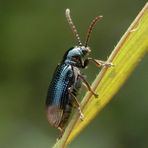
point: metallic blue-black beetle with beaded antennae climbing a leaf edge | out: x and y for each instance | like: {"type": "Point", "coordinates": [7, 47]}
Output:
{"type": "Point", "coordinates": [67, 79]}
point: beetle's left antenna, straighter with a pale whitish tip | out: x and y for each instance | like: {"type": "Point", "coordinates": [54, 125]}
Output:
{"type": "Point", "coordinates": [74, 30]}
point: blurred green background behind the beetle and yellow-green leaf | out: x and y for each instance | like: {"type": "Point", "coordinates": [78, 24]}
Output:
{"type": "Point", "coordinates": [34, 36]}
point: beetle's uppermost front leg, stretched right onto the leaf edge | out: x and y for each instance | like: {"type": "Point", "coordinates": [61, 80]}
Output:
{"type": "Point", "coordinates": [101, 63]}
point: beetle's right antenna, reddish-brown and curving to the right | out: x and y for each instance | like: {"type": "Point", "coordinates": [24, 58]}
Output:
{"type": "Point", "coordinates": [93, 23]}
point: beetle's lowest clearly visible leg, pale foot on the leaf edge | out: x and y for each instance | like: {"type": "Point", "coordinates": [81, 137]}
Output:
{"type": "Point", "coordinates": [74, 99]}
